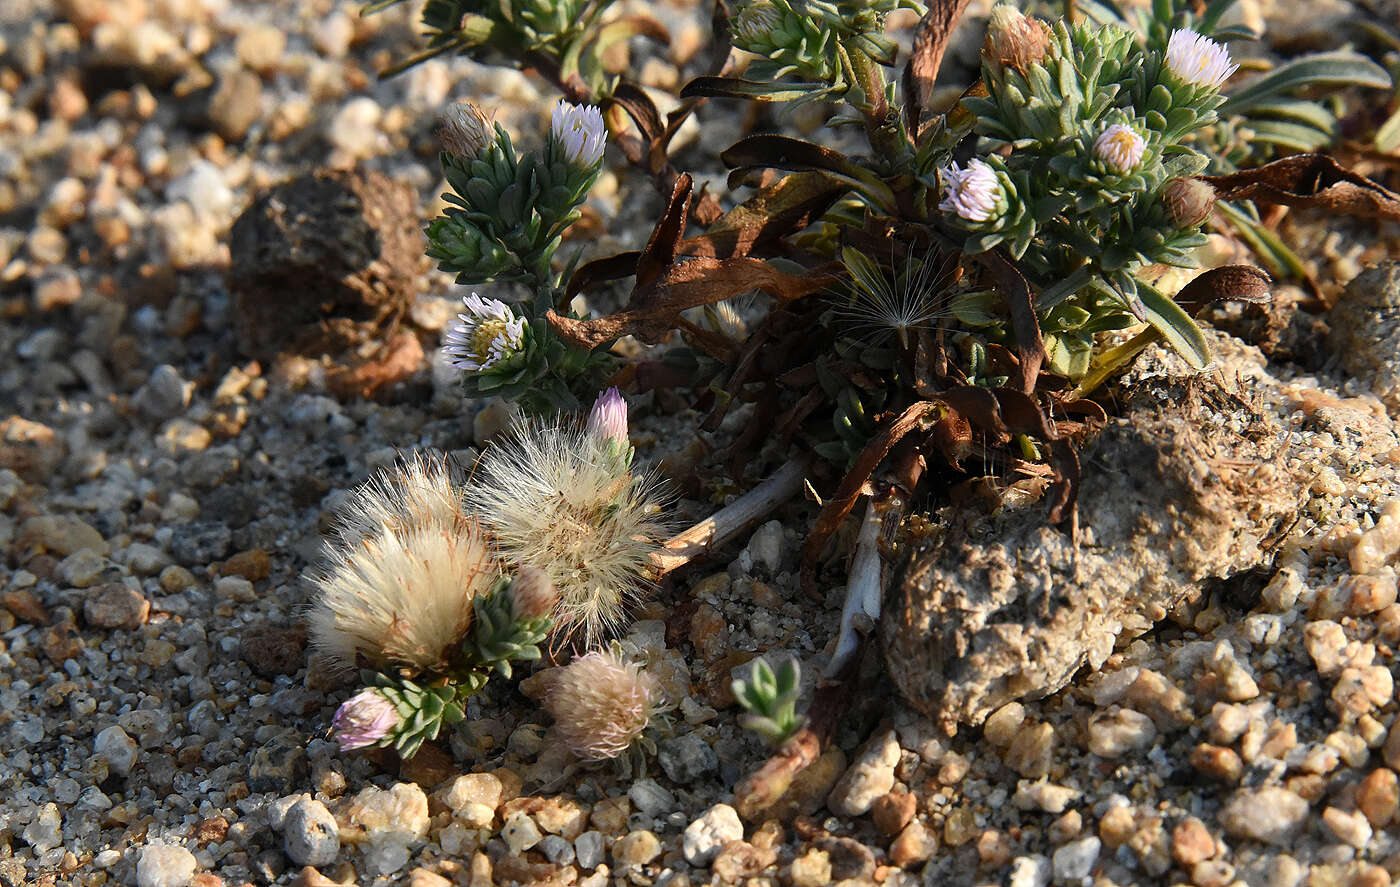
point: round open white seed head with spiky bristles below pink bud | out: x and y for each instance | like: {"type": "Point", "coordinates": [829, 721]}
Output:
{"type": "Point", "coordinates": [556, 499]}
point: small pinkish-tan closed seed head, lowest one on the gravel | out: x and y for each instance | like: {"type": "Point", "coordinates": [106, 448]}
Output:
{"type": "Point", "coordinates": [601, 704]}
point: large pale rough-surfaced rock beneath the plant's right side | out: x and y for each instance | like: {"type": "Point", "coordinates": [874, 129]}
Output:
{"type": "Point", "coordinates": [1179, 489]}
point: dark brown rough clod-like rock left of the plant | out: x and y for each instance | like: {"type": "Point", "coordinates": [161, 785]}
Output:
{"type": "Point", "coordinates": [324, 262]}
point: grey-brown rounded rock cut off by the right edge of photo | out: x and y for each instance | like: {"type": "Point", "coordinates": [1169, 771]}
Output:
{"type": "Point", "coordinates": [1366, 331]}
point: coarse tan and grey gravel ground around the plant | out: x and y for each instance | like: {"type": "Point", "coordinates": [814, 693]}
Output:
{"type": "Point", "coordinates": [162, 495]}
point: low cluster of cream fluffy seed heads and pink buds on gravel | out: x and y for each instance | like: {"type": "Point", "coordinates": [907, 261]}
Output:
{"type": "Point", "coordinates": [436, 587]}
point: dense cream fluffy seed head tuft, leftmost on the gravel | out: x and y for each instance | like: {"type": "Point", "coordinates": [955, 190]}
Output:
{"type": "Point", "coordinates": [401, 573]}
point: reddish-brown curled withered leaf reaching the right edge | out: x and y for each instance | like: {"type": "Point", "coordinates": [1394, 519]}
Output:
{"type": "Point", "coordinates": [1310, 181]}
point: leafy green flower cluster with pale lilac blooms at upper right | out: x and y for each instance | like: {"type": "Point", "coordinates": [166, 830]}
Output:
{"type": "Point", "coordinates": [1090, 134]}
